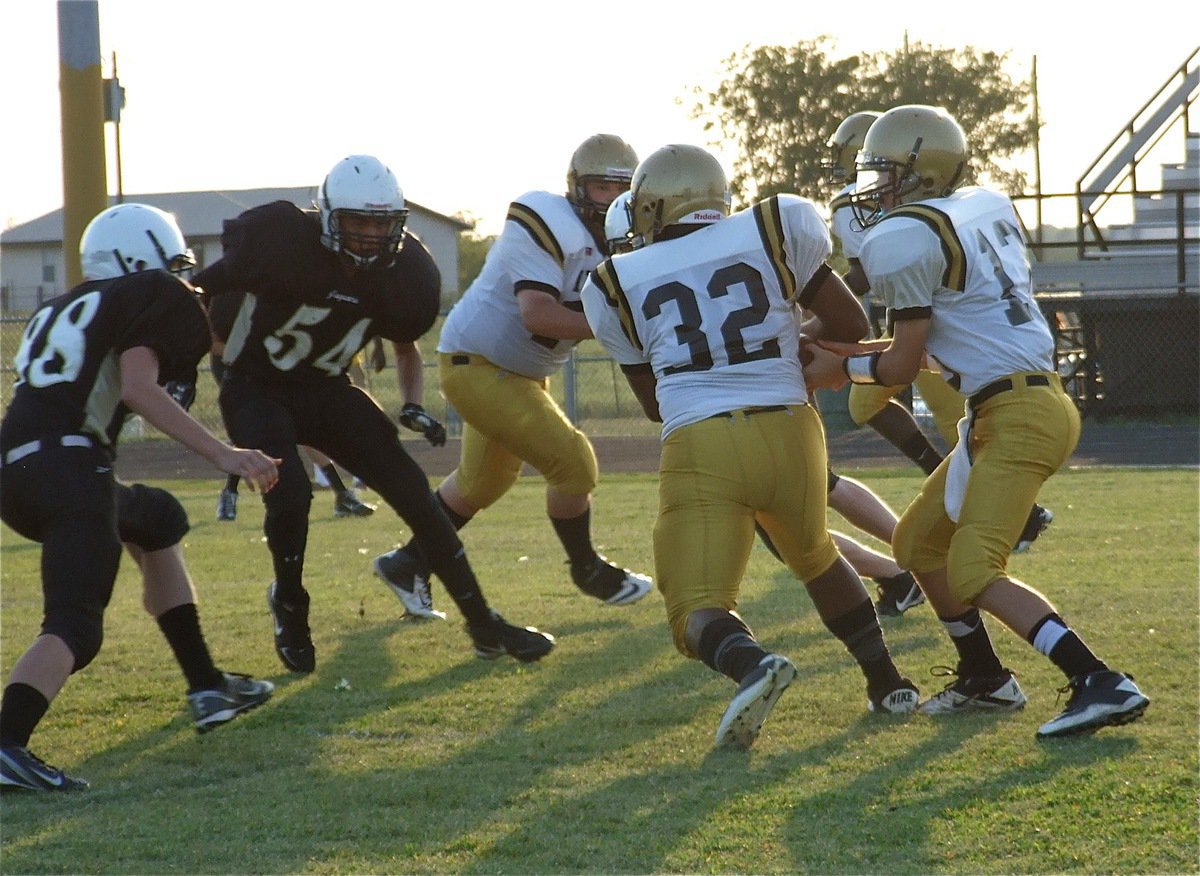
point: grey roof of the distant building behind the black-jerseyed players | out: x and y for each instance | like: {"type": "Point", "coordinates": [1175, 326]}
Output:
{"type": "Point", "coordinates": [200, 214]}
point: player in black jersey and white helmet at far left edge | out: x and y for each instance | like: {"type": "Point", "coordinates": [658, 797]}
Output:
{"type": "Point", "coordinates": [87, 359]}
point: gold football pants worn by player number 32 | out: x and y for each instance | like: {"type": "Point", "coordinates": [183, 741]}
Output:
{"type": "Point", "coordinates": [717, 476]}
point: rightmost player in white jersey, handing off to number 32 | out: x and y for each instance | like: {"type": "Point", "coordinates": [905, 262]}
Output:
{"type": "Point", "coordinates": [951, 263]}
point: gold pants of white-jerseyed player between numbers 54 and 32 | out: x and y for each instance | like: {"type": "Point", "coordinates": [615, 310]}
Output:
{"type": "Point", "coordinates": [509, 419]}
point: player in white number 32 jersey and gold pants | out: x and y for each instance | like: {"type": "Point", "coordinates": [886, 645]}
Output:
{"type": "Point", "coordinates": [700, 317]}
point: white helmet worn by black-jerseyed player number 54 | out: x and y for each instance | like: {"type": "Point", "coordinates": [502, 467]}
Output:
{"type": "Point", "coordinates": [363, 185]}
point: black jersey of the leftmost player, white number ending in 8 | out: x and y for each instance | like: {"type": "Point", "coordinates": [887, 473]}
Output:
{"type": "Point", "coordinates": [69, 361]}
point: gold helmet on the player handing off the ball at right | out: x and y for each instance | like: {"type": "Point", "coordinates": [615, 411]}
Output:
{"type": "Point", "coordinates": [911, 153]}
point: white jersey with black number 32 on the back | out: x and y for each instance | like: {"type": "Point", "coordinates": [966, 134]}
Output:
{"type": "Point", "coordinates": [712, 313]}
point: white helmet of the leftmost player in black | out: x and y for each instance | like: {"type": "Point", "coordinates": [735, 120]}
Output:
{"type": "Point", "coordinates": [130, 238]}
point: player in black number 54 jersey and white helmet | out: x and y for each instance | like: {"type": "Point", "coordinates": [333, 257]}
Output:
{"type": "Point", "coordinates": [319, 286]}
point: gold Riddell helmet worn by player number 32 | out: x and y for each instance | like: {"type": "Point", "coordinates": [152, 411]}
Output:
{"type": "Point", "coordinates": [677, 185]}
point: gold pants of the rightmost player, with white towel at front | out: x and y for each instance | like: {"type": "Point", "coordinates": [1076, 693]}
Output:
{"type": "Point", "coordinates": [1018, 440]}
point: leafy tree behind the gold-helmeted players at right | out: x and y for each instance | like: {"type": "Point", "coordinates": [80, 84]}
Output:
{"type": "Point", "coordinates": [781, 104]}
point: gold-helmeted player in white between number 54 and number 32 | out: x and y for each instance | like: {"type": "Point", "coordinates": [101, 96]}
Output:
{"type": "Point", "coordinates": [513, 329]}
